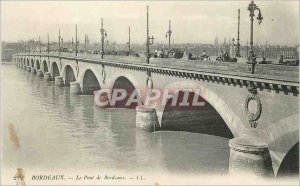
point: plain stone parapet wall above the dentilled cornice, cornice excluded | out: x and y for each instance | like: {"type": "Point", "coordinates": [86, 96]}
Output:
{"type": "Point", "coordinates": [269, 71]}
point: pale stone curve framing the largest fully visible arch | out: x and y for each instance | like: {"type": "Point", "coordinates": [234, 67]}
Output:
{"type": "Point", "coordinates": [215, 104]}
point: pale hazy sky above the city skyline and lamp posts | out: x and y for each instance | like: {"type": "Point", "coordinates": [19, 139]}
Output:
{"type": "Point", "coordinates": [191, 21]}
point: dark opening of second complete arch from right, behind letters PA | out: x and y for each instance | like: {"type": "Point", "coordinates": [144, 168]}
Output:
{"type": "Point", "coordinates": [124, 83]}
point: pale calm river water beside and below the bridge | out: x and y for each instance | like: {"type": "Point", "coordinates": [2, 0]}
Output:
{"type": "Point", "coordinates": [45, 129]}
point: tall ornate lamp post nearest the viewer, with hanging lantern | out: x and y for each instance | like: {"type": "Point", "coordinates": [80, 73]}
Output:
{"type": "Point", "coordinates": [252, 7]}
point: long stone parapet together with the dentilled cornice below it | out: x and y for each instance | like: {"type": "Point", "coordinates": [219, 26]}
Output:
{"type": "Point", "coordinates": [266, 76]}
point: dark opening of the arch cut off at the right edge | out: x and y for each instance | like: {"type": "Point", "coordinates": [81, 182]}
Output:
{"type": "Point", "coordinates": [290, 164]}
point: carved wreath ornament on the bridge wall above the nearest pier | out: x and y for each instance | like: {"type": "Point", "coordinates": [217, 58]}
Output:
{"type": "Point", "coordinates": [253, 117]}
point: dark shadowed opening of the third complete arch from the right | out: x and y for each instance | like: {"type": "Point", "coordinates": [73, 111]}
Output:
{"type": "Point", "coordinates": [90, 83]}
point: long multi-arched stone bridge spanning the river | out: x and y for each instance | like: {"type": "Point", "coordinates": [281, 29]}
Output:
{"type": "Point", "coordinates": [258, 112]}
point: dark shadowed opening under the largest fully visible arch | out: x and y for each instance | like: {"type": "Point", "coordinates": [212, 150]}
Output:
{"type": "Point", "coordinates": [198, 119]}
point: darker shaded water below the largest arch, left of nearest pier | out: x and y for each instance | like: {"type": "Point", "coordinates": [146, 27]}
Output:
{"type": "Point", "coordinates": [194, 153]}
